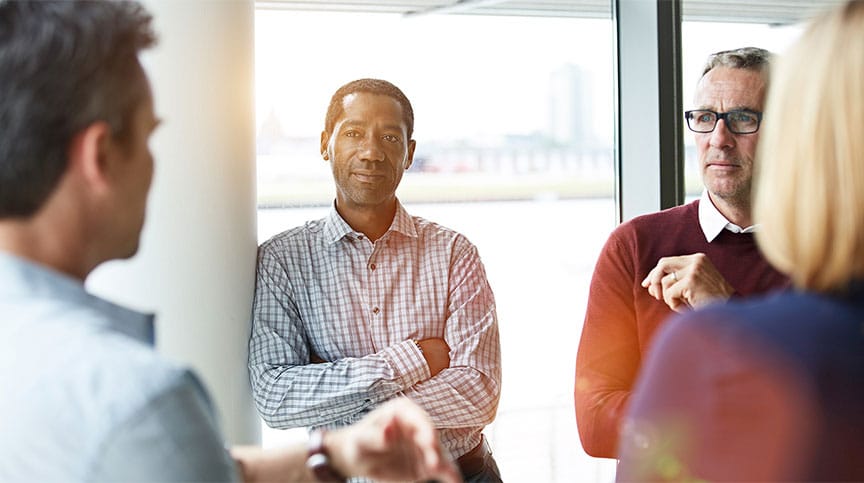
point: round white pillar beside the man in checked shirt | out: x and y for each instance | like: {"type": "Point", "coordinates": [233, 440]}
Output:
{"type": "Point", "coordinates": [196, 264]}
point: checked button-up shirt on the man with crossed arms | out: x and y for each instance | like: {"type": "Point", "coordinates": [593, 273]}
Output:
{"type": "Point", "coordinates": [326, 291]}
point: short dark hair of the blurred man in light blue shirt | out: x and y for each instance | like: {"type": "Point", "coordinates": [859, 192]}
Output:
{"type": "Point", "coordinates": [63, 66]}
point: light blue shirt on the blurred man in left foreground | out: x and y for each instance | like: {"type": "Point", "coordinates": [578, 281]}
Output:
{"type": "Point", "coordinates": [83, 395]}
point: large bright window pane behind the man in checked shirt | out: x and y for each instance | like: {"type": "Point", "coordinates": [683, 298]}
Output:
{"type": "Point", "coordinates": [514, 131]}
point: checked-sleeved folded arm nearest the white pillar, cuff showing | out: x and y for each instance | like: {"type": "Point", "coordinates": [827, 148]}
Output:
{"type": "Point", "coordinates": [292, 391]}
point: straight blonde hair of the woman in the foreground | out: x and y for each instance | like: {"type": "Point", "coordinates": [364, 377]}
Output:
{"type": "Point", "coordinates": [809, 188]}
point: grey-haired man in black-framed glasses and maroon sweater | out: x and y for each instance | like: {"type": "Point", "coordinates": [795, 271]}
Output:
{"type": "Point", "coordinates": [679, 258]}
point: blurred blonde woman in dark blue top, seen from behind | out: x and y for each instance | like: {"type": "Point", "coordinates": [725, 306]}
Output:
{"type": "Point", "coordinates": [773, 389]}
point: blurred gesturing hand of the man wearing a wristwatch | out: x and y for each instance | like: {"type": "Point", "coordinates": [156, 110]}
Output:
{"type": "Point", "coordinates": [397, 441]}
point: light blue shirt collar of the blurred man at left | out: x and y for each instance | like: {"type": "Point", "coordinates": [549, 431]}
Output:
{"type": "Point", "coordinates": [24, 280]}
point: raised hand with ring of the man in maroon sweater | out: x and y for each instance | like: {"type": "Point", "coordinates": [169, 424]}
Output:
{"type": "Point", "coordinates": [687, 281]}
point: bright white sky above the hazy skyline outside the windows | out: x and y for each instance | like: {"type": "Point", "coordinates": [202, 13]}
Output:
{"type": "Point", "coordinates": [469, 77]}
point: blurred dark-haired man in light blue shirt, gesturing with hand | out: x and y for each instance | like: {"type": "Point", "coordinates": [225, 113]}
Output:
{"type": "Point", "coordinates": [85, 397]}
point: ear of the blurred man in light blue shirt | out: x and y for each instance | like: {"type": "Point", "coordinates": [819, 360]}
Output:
{"type": "Point", "coordinates": [88, 154]}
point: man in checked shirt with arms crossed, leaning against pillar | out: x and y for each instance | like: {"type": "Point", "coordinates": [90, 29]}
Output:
{"type": "Point", "coordinates": [370, 302]}
